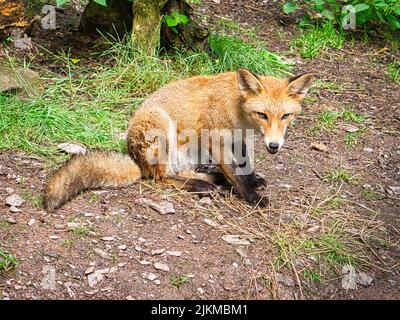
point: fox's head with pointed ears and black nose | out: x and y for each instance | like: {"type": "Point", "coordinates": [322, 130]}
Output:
{"type": "Point", "coordinates": [270, 104]}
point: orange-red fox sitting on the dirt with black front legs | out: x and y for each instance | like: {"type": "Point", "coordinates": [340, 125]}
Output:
{"type": "Point", "coordinates": [227, 101]}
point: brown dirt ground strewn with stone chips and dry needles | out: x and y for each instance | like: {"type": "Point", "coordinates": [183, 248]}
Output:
{"type": "Point", "coordinates": [104, 244]}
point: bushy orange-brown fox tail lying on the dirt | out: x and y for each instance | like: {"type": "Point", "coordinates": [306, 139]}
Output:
{"type": "Point", "coordinates": [91, 171]}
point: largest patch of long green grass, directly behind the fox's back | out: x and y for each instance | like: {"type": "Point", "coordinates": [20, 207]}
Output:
{"type": "Point", "coordinates": [92, 105]}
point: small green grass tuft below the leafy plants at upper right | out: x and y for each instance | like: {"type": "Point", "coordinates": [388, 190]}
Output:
{"type": "Point", "coordinates": [315, 40]}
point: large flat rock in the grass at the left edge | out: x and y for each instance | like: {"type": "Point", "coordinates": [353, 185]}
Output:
{"type": "Point", "coordinates": [20, 79]}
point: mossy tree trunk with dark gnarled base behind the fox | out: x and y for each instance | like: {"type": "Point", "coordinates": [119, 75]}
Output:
{"type": "Point", "coordinates": [144, 18]}
